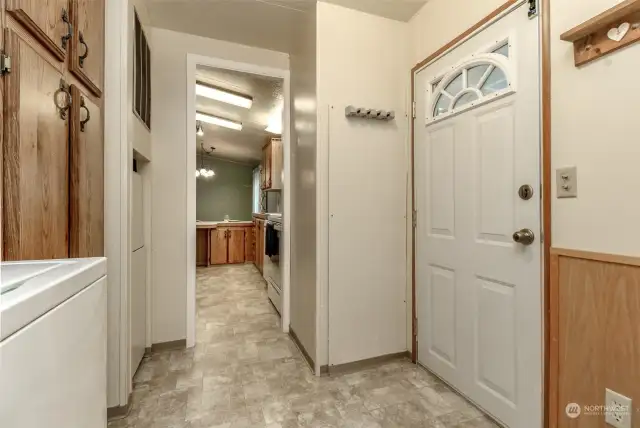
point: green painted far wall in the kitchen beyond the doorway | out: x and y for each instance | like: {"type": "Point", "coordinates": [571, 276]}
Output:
{"type": "Point", "coordinates": [229, 192]}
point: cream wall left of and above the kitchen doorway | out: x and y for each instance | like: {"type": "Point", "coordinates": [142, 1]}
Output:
{"type": "Point", "coordinates": [168, 148]}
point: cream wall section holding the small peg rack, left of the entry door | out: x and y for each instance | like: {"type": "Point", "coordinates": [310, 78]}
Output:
{"type": "Point", "coordinates": [363, 173]}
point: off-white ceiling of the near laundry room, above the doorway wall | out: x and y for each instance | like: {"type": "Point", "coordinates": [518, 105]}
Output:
{"type": "Point", "coordinates": [267, 24]}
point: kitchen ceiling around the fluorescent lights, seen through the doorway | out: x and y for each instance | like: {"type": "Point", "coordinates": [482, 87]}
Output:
{"type": "Point", "coordinates": [246, 145]}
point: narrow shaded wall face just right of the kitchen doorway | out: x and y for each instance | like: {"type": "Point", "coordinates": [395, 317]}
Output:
{"type": "Point", "coordinates": [303, 166]}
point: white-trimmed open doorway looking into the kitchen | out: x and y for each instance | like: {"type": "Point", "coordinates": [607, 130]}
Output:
{"type": "Point", "coordinates": [238, 188]}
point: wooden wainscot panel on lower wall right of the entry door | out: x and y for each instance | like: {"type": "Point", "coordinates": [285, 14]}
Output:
{"type": "Point", "coordinates": [594, 332]}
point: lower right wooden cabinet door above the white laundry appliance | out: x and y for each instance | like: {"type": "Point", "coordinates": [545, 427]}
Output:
{"type": "Point", "coordinates": [86, 198]}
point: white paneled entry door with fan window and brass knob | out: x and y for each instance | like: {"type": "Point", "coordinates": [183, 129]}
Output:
{"type": "Point", "coordinates": [479, 292]}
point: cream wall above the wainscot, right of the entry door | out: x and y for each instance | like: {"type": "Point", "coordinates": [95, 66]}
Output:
{"type": "Point", "coordinates": [595, 127]}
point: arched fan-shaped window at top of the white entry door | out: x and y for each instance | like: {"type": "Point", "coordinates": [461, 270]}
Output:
{"type": "Point", "coordinates": [477, 80]}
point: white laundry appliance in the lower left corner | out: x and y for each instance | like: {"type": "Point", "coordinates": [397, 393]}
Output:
{"type": "Point", "coordinates": [53, 343]}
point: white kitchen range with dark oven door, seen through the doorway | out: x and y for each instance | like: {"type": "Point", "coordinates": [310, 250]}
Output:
{"type": "Point", "coordinates": [272, 271]}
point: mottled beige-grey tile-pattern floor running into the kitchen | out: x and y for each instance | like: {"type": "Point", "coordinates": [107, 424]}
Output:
{"type": "Point", "coordinates": [244, 372]}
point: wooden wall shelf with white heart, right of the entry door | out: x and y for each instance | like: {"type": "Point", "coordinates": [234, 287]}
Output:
{"type": "Point", "coordinates": [590, 39]}
